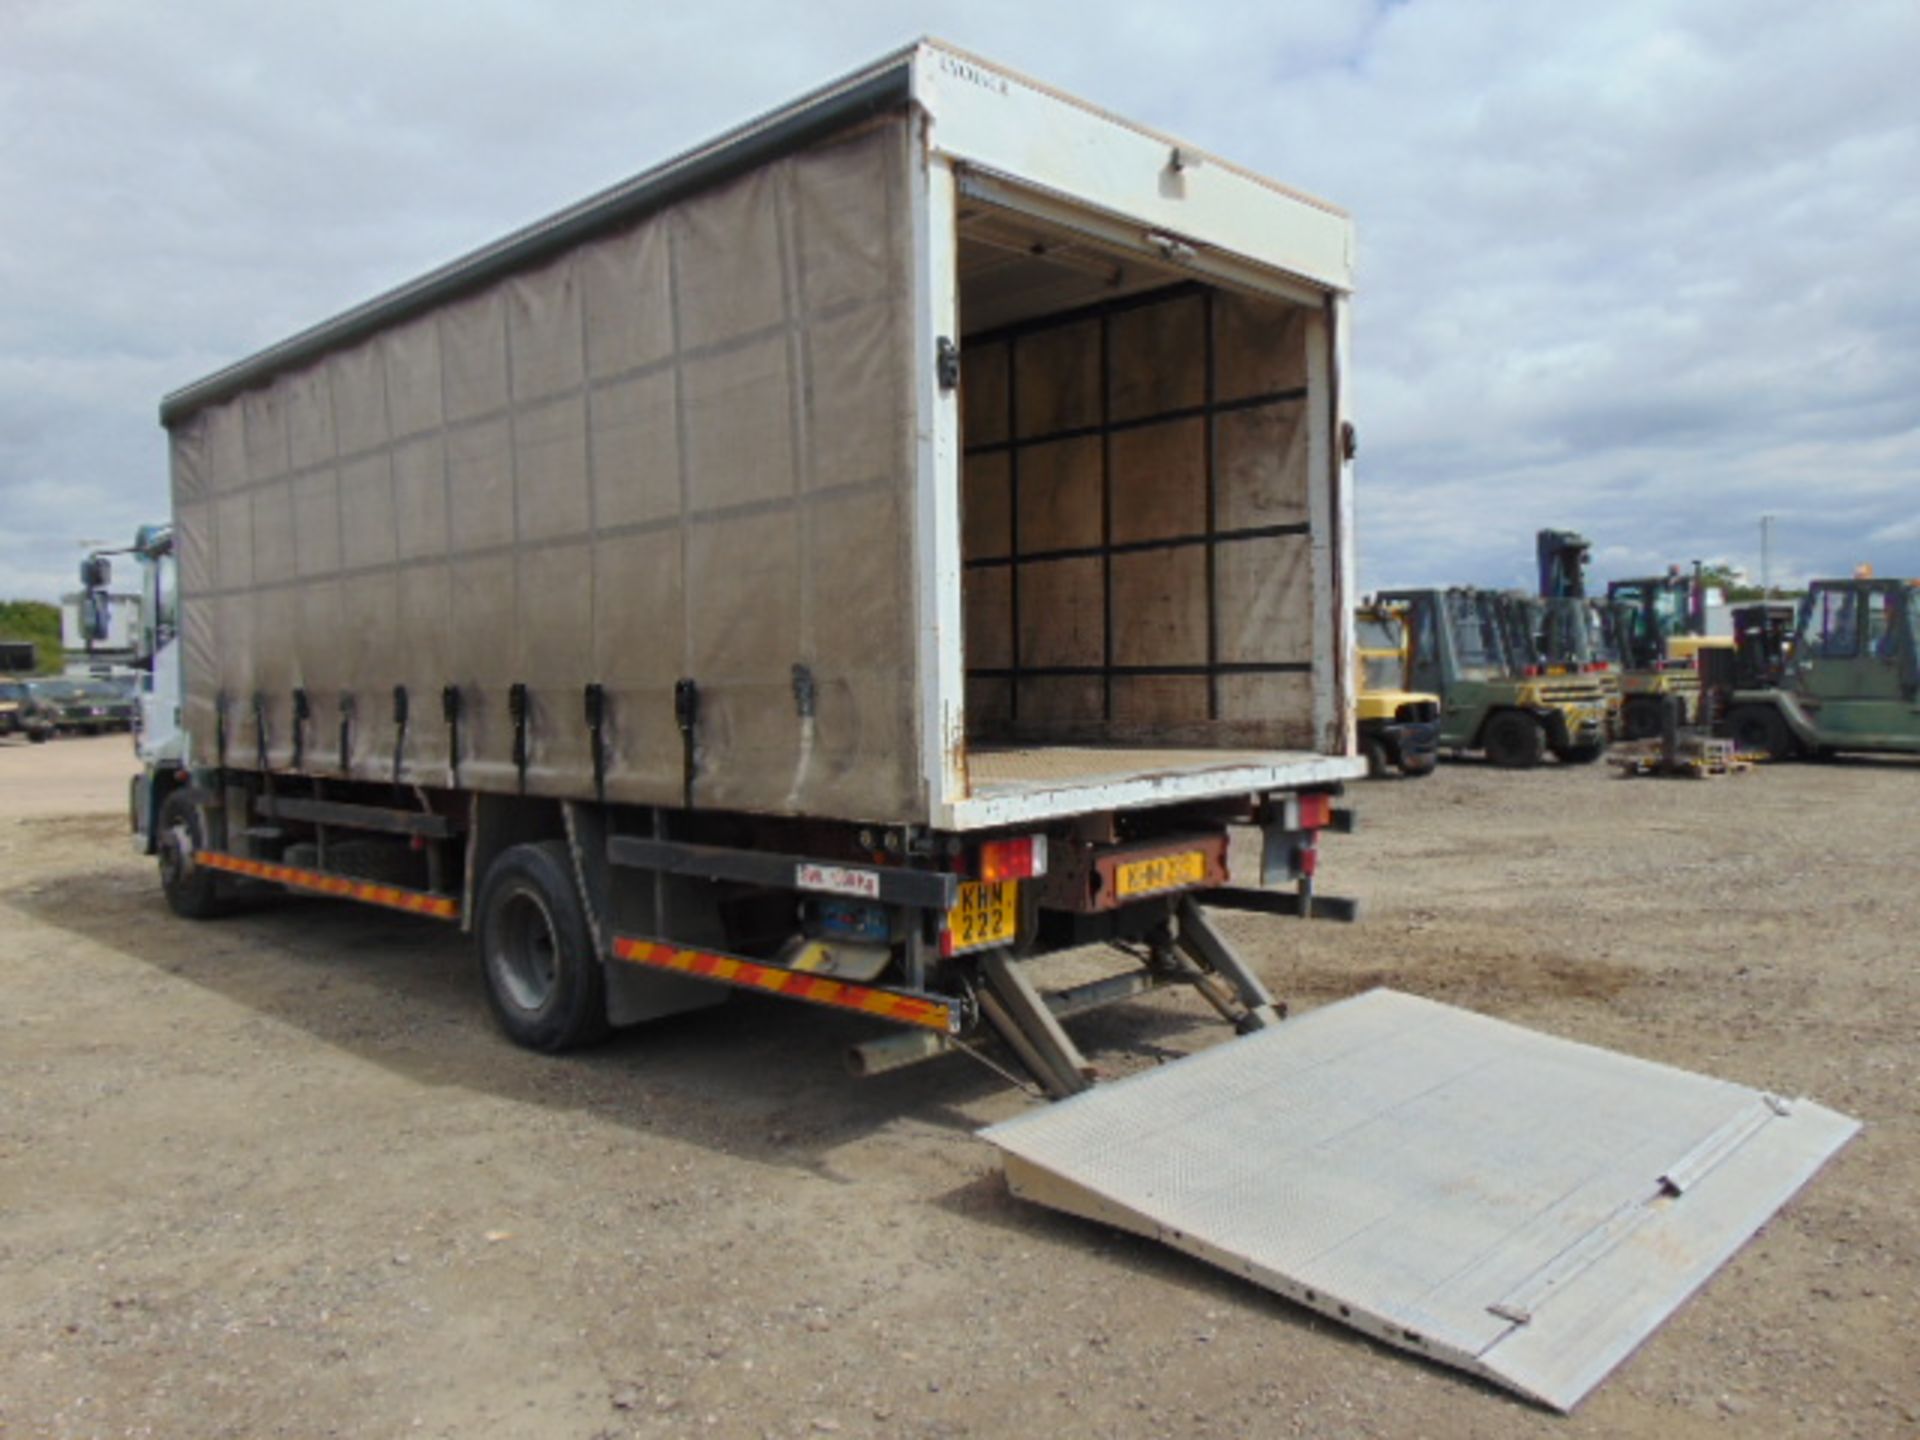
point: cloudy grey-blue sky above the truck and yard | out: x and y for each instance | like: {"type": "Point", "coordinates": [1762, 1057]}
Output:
{"type": "Point", "coordinates": [1641, 270]}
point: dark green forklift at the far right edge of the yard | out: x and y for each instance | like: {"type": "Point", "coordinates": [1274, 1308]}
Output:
{"type": "Point", "coordinates": [1850, 683]}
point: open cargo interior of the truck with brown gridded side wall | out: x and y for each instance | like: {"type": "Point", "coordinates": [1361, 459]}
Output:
{"type": "Point", "coordinates": [1138, 517]}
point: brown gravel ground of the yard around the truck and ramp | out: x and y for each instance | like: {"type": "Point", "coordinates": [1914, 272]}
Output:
{"type": "Point", "coordinates": [277, 1176]}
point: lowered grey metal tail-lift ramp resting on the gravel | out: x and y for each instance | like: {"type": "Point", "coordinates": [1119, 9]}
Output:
{"type": "Point", "coordinates": [1516, 1205]}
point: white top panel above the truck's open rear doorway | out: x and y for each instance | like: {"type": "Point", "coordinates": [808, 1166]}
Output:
{"type": "Point", "coordinates": [1001, 122]}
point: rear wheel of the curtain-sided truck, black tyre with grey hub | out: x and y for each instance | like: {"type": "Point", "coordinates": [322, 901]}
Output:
{"type": "Point", "coordinates": [537, 951]}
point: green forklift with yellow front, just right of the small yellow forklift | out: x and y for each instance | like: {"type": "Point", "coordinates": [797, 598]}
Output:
{"type": "Point", "coordinates": [1495, 694]}
